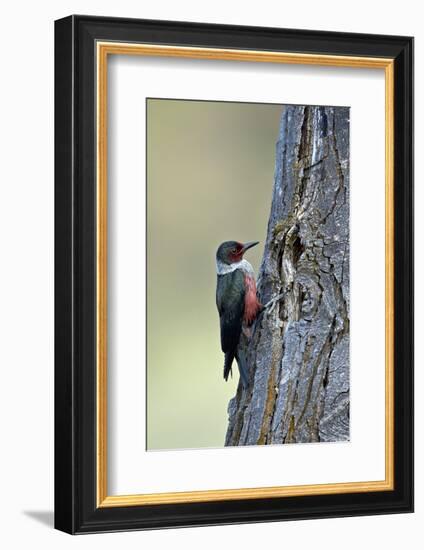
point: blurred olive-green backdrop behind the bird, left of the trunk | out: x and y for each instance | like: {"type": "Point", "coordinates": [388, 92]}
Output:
{"type": "Point", "coordinates": [210, 170]}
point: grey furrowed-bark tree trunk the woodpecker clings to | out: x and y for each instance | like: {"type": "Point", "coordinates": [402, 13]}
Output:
{"type": "Point", "coordinates": [298, 352]}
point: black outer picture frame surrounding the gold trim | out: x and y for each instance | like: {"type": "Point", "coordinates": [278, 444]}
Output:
{"type": "Point", "coordinates": [76, 510]}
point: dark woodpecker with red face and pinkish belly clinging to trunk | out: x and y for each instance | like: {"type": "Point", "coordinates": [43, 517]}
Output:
{"type": "Point", "coordinates": [236, 301]}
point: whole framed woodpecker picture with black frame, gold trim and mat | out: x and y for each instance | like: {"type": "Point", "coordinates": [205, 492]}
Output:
{"type": "Point", "coordinates": [234, 268]}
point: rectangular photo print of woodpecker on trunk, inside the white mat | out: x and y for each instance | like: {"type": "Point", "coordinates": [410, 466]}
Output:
{"type": "Point", "coordinates": [247, 274]}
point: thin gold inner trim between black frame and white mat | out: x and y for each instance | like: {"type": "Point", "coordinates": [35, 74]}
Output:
{"type": "Point", "coordinates": [103, 50]}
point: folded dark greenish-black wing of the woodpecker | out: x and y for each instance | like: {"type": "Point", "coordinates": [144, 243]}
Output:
{"type": "Point", "coordinates": [230, 292]}
